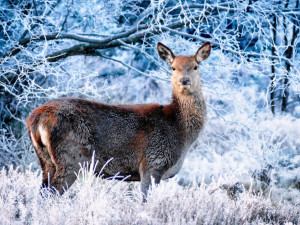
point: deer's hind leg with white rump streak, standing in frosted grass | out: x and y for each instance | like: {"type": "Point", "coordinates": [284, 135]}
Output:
{"type": "Point", "coordinates": [60, 156]}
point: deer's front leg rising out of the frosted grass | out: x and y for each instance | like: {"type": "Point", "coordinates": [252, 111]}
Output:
{"type": "Point", "coordinates": [146, 172]}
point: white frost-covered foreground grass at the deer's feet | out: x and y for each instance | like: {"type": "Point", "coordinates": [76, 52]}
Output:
{"type": "Point", "coordinates": [93, 200]}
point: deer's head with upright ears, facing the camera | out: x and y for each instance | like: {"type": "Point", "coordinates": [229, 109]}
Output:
{"type": "Point", "coordinates": [185, 69]}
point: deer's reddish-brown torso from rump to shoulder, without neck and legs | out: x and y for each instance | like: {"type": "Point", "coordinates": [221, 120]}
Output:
{"type": "Point", "coordinates": [125, 133]}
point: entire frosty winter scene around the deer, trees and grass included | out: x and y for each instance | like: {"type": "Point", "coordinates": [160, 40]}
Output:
{"type": "Point", "coordinates": [245, 166]}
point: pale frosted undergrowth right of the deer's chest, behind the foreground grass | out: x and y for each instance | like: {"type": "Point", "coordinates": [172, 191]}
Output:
{"type": "Point", "coordinates": [265, 149]}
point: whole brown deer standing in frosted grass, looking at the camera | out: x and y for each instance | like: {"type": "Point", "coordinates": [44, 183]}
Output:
{"type": "Point", "coordinates": [144, 141]}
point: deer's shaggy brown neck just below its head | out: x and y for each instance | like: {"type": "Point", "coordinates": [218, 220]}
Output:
{"type": "Point", "coordinates": [191, 113]}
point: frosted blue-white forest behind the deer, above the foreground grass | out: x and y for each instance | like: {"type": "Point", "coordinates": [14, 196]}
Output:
{"type": "Point", "coordinates": [106, 51]}
